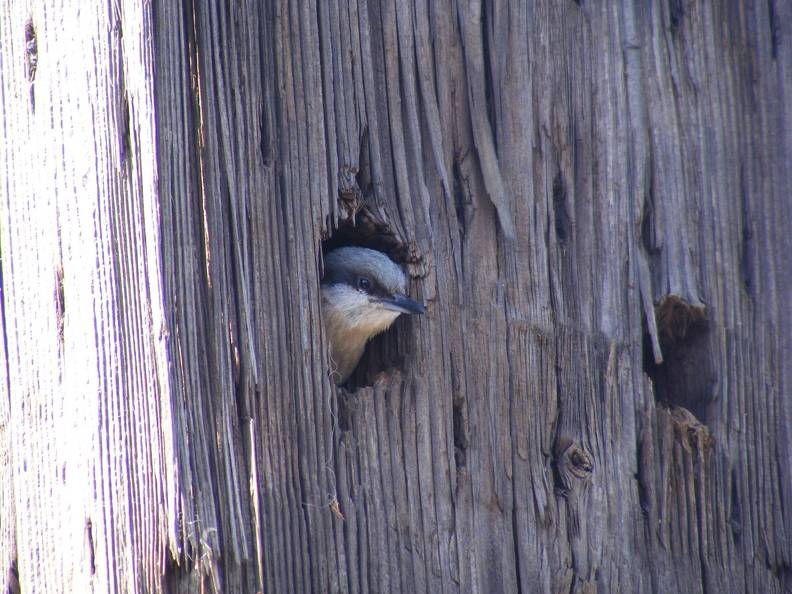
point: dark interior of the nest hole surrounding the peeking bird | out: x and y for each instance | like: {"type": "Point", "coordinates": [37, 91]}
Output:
{"type": "Point", "coordinates": [386, 351]}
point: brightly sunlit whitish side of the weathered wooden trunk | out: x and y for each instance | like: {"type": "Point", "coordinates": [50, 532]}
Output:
{"type": "Point", "coordinates": [87, 467]}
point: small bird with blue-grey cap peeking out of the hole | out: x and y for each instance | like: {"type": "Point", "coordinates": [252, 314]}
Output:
{"type": "Point", "coordinates": [363, 292]}
